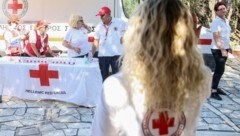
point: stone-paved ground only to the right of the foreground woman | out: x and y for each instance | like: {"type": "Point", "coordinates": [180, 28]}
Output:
{"type": "Point", "coordinates": [222, 118]}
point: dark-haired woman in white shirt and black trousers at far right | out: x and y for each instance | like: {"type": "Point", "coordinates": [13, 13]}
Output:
{"type": "Point", "coordinates": [220, 46]}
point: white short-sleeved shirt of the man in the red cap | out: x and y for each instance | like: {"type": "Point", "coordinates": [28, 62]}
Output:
{"type": "Point", "coordinates": [109, 38]}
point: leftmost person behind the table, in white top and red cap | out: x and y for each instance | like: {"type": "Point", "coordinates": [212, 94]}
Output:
{"type": "Point", "coordinates": [13, 37]}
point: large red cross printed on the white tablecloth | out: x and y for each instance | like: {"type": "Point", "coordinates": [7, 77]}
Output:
{"type": "Point", "coordinates": [44, 74]}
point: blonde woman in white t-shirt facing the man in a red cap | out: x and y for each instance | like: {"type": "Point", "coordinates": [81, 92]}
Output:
{"type": "Point", "coordinates": [76, 39]}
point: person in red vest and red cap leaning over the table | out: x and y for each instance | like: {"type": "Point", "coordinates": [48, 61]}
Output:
{"type": "Point", "coordinates": [37, 44]}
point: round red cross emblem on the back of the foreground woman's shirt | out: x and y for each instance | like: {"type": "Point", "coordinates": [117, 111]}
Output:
{"type": "Point", "coordinates": [161, 122]}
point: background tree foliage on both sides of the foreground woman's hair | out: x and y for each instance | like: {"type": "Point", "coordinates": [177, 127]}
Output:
{"type": "Point", "coordinates": [204, 11]}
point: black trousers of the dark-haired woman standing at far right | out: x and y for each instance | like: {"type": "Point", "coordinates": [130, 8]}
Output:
{"type": "Point", "coordinates": [220, 66]}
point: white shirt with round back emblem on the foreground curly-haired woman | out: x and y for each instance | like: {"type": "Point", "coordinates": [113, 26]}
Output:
{"type": "Point", "coordinates": [121, 113]}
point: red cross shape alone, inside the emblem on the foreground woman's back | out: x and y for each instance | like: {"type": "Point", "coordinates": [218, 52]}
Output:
{"type": "Point", "coordinates": [163, 122]}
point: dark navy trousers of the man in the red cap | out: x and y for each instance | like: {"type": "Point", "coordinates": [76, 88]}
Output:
{"type": "Point", "coordinates": [105, 63]}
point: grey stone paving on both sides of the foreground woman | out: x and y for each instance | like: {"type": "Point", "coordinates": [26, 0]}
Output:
{"type": "Point", "coordinates": [53, 118]}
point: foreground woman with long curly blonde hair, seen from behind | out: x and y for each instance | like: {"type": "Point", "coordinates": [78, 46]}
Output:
{"type": "Point", "coordinates": [163, 82]}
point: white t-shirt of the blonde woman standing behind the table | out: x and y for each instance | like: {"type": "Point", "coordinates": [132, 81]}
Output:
{"type": "Point", "coordinates": [78, 38]}
